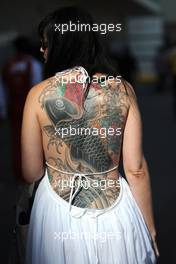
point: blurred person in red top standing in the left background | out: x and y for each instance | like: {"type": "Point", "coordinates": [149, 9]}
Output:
{"type": "Point", "coordinates": [19, 74]}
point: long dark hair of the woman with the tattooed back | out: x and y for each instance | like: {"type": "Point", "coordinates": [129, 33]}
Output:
{"type": "Point", "coordinates": [78, 48]}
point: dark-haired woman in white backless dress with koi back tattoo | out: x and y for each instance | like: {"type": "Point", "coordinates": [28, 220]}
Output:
{"type": "Point", "coordinates": [84, 211]}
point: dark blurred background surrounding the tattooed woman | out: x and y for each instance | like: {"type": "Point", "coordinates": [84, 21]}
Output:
{"type": "Point", "coordinates": [145, 54]}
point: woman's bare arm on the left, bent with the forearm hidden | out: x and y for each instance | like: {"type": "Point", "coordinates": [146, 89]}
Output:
{"type": "Point", "coordinates": [31, 140]}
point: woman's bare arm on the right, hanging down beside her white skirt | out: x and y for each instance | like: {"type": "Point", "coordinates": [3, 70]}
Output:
{"type": "Point", "coordinates": [135, 165]}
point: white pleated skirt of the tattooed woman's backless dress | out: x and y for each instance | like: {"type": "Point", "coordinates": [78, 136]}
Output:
{"type": "Point", "coordinates": [117, 235]}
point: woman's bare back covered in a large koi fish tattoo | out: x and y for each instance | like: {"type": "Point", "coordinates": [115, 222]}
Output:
{"type": "Point", "coordinates": [83, 139]}
